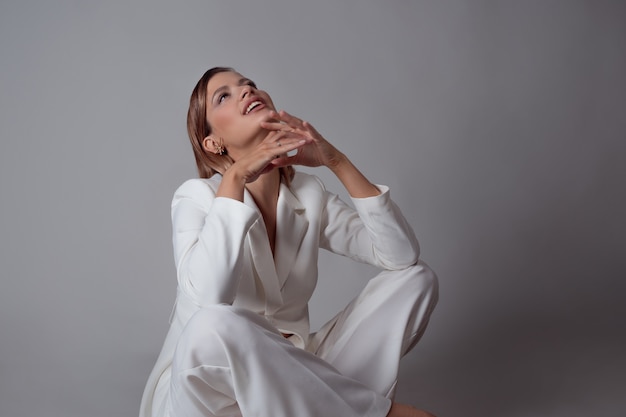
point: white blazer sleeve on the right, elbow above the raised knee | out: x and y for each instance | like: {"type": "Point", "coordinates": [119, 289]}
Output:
{"type": "Point", "coordinates": [374, 232]}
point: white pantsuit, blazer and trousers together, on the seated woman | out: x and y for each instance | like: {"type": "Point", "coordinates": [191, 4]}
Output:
{"type": "Point", "coordinates": [226, 354]}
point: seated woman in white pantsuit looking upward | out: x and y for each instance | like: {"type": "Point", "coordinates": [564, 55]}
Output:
{"type": "Point", "coordinates": [246, 241]}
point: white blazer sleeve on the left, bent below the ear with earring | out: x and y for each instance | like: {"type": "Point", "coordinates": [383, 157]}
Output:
{"type": "Point", "coordinates": [208, 236]}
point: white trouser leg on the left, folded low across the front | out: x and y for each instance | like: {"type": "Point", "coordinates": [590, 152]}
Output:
{"type": "Point", "coordinates": [232, 362]}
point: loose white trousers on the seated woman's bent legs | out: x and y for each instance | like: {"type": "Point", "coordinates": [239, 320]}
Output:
{"type": "Point", "coordinates": [232, 362]}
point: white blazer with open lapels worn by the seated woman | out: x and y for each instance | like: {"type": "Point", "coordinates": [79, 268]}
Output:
{"type": "Point", "coordinates": [222, 255]}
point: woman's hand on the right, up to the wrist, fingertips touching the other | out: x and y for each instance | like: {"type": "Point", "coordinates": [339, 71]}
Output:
{"type": "Point", "coordinates": [316, 152]}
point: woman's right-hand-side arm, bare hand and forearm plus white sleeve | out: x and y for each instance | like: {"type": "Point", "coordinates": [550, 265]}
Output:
{"type": "Point", "coordinates": [377, 232]}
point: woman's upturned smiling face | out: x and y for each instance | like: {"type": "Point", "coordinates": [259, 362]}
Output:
{"type": "Point", "coordinates": [234, 110]}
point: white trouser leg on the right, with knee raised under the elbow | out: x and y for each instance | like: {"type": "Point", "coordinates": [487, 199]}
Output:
{"type": "Point", "coordinates": [366, 340]}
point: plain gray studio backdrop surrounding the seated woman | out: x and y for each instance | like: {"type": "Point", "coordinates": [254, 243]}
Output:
{"type": "Point", "coordinates": [499, 125]}
